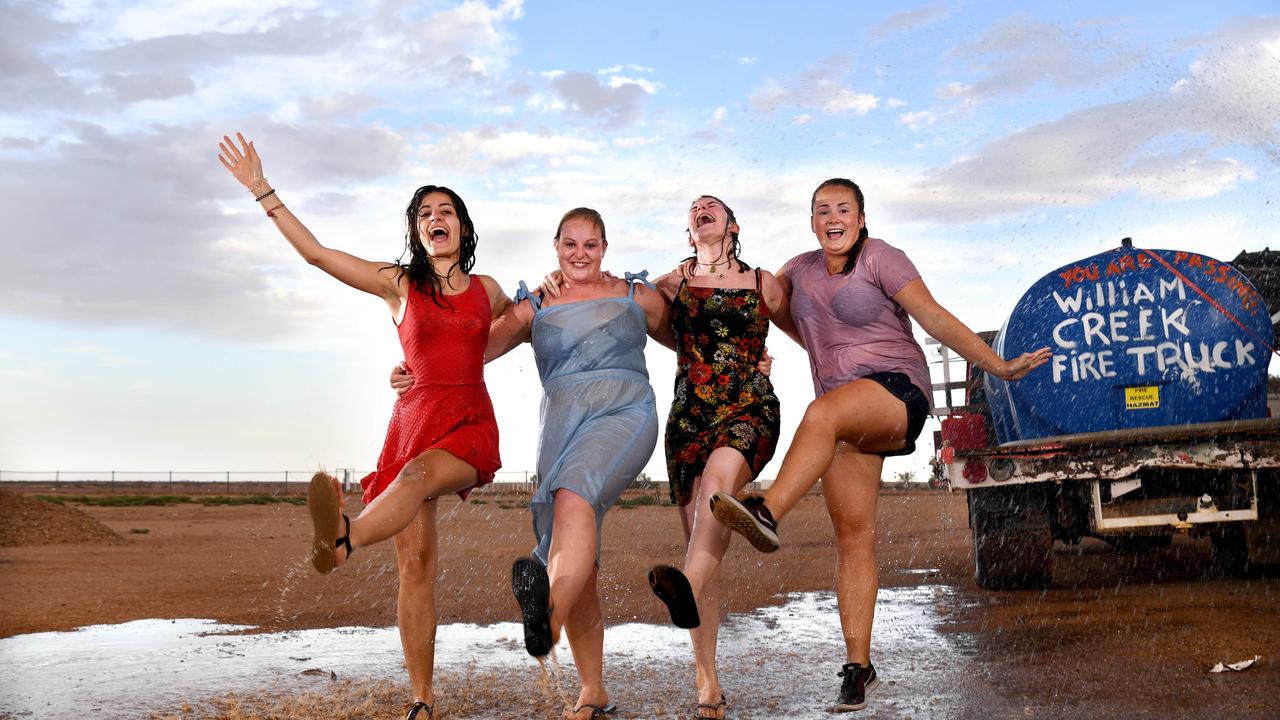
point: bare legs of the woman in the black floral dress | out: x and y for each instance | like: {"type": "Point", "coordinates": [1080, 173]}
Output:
{"type": "Point", "coordinates": [726, 471]}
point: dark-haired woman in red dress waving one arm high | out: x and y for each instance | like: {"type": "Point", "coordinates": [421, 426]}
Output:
{"type": "Point", "coordinates": [444, 436]}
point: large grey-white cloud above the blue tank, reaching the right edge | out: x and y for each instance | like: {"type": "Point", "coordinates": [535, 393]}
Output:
{"type": "Point", "coordinates": [1181, 144]}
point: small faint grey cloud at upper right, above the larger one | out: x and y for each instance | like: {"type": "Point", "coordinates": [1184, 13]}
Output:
{"type": "Point", "coordinates": [1020, 53]}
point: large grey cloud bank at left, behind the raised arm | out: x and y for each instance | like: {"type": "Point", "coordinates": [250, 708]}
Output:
{"type": "Point", "coordinates": [127, 230]}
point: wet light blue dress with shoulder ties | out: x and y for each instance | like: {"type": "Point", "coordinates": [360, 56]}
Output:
{"type": "Point", "coordinates": [600, 420]}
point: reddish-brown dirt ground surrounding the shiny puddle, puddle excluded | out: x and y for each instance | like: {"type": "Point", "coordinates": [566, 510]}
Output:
{"type": "Point", "coordinates": [1119, 635]}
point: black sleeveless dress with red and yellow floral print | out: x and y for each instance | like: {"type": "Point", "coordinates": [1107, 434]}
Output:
{"type": "Point", "coordinates": [721, 398]}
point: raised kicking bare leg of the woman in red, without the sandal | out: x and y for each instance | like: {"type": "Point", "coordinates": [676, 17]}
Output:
{"type": "Point", "coordinates": [427, 477]}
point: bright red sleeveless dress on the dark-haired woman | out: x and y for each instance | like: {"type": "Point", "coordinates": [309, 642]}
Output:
{"type": "Point", "coordinates": [449, 407]}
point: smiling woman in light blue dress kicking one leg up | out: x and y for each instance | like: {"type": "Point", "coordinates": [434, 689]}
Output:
{"type": "Point", "coordinates": [600, 427]}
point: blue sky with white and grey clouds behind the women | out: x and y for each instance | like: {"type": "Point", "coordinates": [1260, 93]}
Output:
{"type": "Point", "coordinates": [153, 320]}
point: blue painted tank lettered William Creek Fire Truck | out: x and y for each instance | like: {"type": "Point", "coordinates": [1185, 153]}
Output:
{"type": "Point", "coordinates": [1141, 339]}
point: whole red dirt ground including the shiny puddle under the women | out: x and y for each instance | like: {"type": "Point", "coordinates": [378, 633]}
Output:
{"type": "Point", "coordinates": [1119, 635]}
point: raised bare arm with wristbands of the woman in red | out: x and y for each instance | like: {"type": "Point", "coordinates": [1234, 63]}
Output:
{"type": "Point", "coordinates": [374, 279]}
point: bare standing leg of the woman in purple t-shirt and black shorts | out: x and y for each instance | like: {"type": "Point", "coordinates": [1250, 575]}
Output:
{"type": "Point", "coordinates": [852, 490]}
